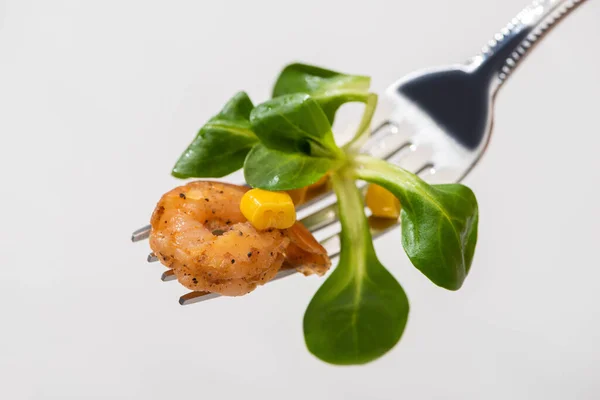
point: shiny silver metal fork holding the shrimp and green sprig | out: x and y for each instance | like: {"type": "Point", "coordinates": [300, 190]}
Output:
{"type": "Point", "coordinates": [439, 124]}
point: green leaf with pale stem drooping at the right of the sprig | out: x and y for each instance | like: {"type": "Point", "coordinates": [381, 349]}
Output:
{"type": "Point", "coordinates": [439, 222]}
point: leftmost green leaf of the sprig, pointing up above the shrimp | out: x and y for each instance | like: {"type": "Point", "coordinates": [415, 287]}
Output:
{"type": "Point", "coordinates": [222, 144]}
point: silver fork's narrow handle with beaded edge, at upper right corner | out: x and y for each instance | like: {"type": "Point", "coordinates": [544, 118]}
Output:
{"type": "Point", "coordinates": [501, 55]}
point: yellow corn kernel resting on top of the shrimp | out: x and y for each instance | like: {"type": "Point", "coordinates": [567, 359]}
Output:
{"type": "Point", "coordinates": [266, 209]}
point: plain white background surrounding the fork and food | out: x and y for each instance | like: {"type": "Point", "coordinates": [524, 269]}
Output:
{"type": "Point", "coordinates": [99, 98]}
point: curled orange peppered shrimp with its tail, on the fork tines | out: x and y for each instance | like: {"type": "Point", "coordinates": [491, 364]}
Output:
{"type": "Point", "coordinates": [200, 233]}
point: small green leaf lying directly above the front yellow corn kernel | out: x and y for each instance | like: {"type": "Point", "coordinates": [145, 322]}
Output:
{"type": "Point", "coordinates": [274, 170]}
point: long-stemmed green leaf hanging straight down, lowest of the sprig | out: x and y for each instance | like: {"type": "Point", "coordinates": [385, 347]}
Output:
{"type": "Point", "coordinates": [360, 312]}
